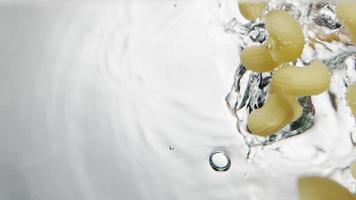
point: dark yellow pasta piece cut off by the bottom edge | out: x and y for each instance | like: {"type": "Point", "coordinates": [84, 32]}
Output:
{"type": "Point", "coordinates": [319, 188]}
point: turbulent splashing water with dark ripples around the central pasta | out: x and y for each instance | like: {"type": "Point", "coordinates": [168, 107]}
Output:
{"type": "Point", "coordinates": [325, 40]}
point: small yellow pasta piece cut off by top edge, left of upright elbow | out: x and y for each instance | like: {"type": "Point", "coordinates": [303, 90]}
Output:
{"type": "Point", "coordinates": [252, 9]}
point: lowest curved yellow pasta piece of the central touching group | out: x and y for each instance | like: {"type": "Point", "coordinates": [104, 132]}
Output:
{"type": "Point", "coordinates": [272, 117]}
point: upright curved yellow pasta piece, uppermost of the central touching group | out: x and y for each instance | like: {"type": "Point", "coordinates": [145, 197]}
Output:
{"type": "Point", "coordinates": [286, 36]}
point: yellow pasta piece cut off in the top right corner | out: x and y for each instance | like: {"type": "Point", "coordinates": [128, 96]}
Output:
{"type": "Point", "coordinates": [346, 12]}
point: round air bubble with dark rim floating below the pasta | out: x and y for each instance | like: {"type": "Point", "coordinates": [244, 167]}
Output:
{"type": "Point", "coordinates": [220, 161]}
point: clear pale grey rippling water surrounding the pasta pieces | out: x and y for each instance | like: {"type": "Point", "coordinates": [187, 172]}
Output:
{"type": "Point", "coordinates": [94, 95]}
